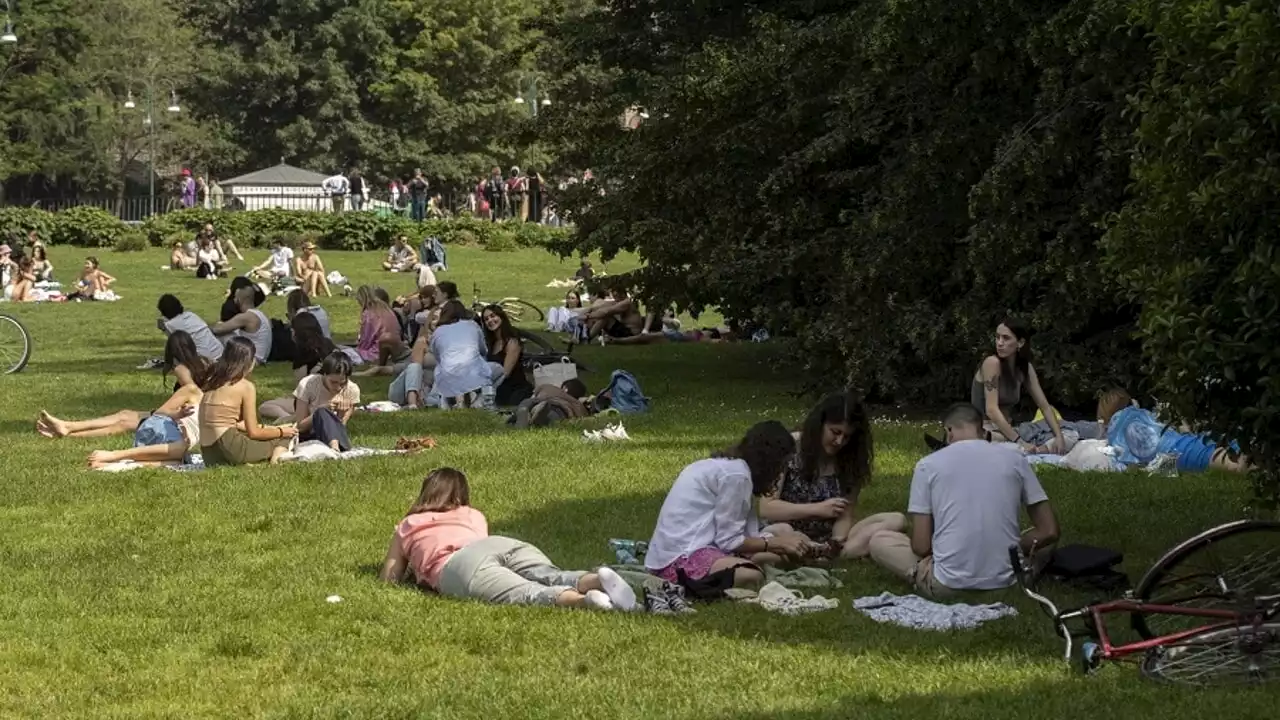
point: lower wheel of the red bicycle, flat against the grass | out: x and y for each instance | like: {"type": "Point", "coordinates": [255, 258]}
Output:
{"type": "Point", "coordinates": [1224, 657]}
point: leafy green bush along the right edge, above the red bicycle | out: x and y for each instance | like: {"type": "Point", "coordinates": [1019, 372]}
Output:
{"type": "Point", "coordinates": [1199, 244]}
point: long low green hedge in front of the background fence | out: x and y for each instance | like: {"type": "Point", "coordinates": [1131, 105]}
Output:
{"type": "Point", "coordinates": [94, 227]}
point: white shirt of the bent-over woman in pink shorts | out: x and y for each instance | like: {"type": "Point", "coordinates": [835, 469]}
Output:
{"type": "Point", "coordinates": [708, 507]}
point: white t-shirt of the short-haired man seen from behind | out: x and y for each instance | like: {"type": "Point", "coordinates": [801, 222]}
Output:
{"type": "Point", "coordinates": [976, 493]}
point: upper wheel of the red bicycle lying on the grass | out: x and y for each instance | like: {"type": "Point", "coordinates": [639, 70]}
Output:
{"type": "Point", "coordinates": [1226, 567]}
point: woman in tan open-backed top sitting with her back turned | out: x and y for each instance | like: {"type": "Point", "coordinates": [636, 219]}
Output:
{"type": "Point", "coordinates": [230, 434]}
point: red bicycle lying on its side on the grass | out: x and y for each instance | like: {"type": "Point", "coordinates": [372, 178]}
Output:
{"type": "Point", "coordinates": [1206, 612]}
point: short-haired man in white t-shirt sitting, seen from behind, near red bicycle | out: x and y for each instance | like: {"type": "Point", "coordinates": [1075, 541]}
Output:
{"type": "Point", "coordinates": [966, 509]}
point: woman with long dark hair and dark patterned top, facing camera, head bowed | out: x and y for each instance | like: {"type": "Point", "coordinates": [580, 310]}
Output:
{"type": "Point", "coordinates": [820, 489]}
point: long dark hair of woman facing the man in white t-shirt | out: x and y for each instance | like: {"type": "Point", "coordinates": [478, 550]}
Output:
{"type": "Point", "coordinates": [854, 461]}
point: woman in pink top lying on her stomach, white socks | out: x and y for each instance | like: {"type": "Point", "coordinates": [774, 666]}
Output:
{"type": "Point", "coordinates": [446, 545]}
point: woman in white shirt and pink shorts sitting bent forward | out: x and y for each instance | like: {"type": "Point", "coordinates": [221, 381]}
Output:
{"type": "Point", "coordinates": [708, 522]}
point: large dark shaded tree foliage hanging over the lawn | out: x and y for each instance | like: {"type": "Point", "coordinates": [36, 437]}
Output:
{"type": "Point", "coordinates": [884, 180]}
